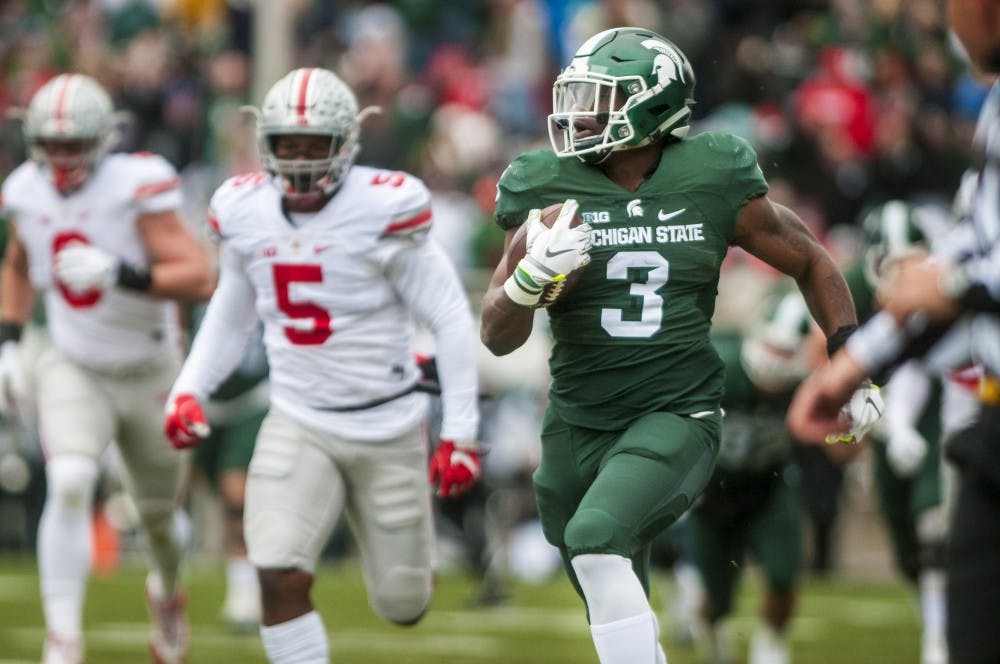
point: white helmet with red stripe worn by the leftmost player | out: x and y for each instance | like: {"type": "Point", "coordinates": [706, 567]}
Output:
{"type": "Point", "coordinates": [74, 110]}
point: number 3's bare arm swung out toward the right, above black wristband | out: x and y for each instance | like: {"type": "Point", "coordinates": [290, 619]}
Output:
{"type": "Point", "coordinates": [778, 237]}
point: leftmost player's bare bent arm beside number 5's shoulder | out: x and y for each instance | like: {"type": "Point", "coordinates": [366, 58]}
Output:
{"type": "Point", "coordinates": [180, 266]}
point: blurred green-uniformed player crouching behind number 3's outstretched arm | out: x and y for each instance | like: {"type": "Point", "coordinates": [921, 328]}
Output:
{"type": "Point", "coordinates": [753, 501]}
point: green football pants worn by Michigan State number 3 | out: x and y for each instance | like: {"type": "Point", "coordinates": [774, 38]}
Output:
{"type": "Point", "coordinates": [614, 491]}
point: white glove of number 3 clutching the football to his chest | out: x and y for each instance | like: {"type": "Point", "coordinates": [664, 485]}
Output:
{"type": "Point", "coordinates": [552, 253]}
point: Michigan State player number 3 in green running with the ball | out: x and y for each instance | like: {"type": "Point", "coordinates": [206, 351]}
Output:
{"type": "Point", "coordinates": [633, 423]}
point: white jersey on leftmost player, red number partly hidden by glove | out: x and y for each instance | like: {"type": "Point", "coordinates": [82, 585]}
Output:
{"type": "Point", "coordinates": [113, 328]}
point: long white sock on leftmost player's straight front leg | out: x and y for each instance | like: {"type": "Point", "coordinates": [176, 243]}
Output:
{"type": "Point", "coordinates": [64, 542]}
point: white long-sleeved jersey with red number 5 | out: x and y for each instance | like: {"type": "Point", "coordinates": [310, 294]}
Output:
{"type": "Point", "coordinates": [338, 292]}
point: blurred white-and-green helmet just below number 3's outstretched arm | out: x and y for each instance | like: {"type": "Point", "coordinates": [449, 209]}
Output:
{"type": "Point", "coordinates": [774, 353]}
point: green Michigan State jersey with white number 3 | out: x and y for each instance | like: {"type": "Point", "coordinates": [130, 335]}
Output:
{"type": "Point", "coordinates": [631, 337]}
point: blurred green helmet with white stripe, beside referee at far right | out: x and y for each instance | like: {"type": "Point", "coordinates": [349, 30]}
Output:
{"type": "Point", "coordinates": [893, 230]}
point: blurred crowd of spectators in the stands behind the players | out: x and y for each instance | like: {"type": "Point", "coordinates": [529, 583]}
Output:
{"type": "Point", "coordinates": [849, 102]}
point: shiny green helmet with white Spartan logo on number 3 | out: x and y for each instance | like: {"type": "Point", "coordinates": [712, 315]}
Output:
{"type": "Point", "coordinates": [626, 87]}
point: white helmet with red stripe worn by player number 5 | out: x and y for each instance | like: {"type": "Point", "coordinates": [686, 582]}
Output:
{"type": "Point", "coordinates": [316, 102]}
